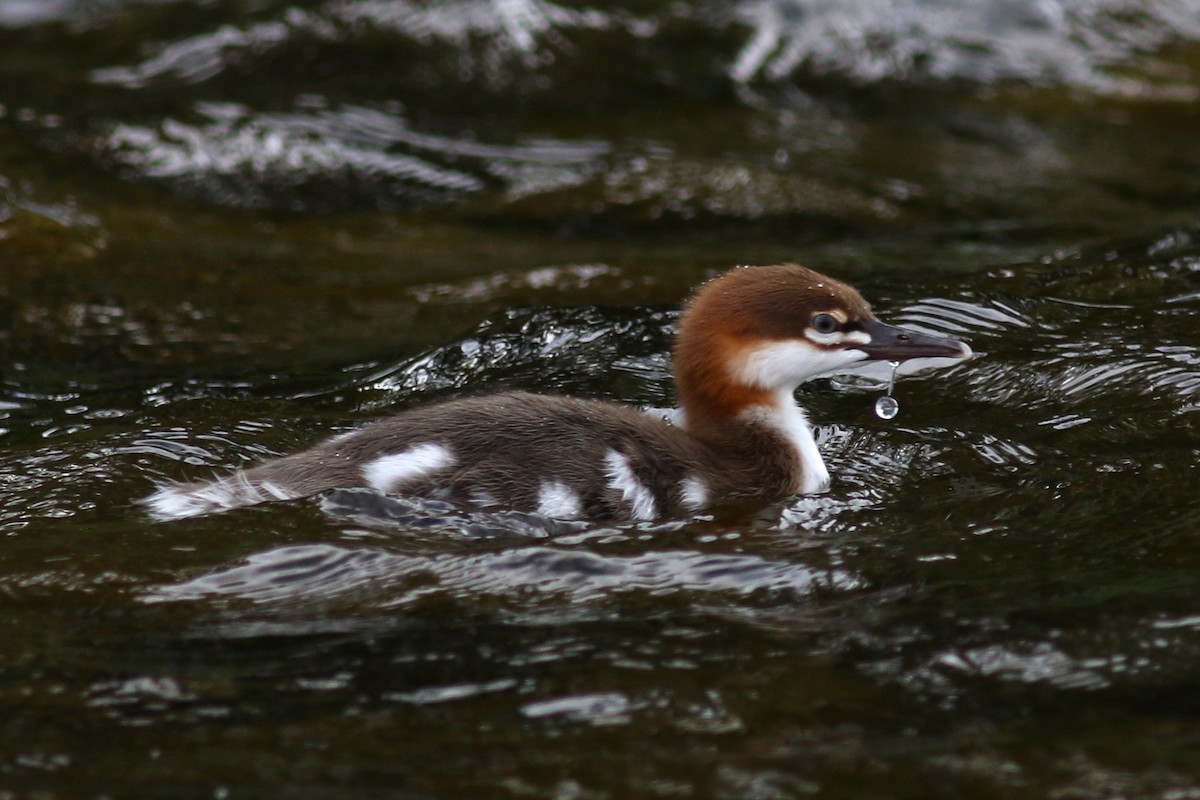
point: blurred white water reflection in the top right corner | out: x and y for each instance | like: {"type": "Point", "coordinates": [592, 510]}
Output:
{"type": "Point", "coordinates": [1077, 45]}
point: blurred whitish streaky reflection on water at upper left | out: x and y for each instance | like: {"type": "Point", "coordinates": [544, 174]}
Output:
{"type": "Point", "coordinates": [239, 158]}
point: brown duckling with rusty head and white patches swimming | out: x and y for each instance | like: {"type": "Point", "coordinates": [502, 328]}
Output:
{"type": "Point", "coordinates": [748, 339]}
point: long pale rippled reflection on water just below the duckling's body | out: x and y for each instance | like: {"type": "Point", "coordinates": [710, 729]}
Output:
{"type": "Point", "coordinates": [303, 575]}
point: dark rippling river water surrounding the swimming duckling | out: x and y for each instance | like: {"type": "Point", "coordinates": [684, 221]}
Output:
{"type": "Point", "coordinates": [231, 227]}
